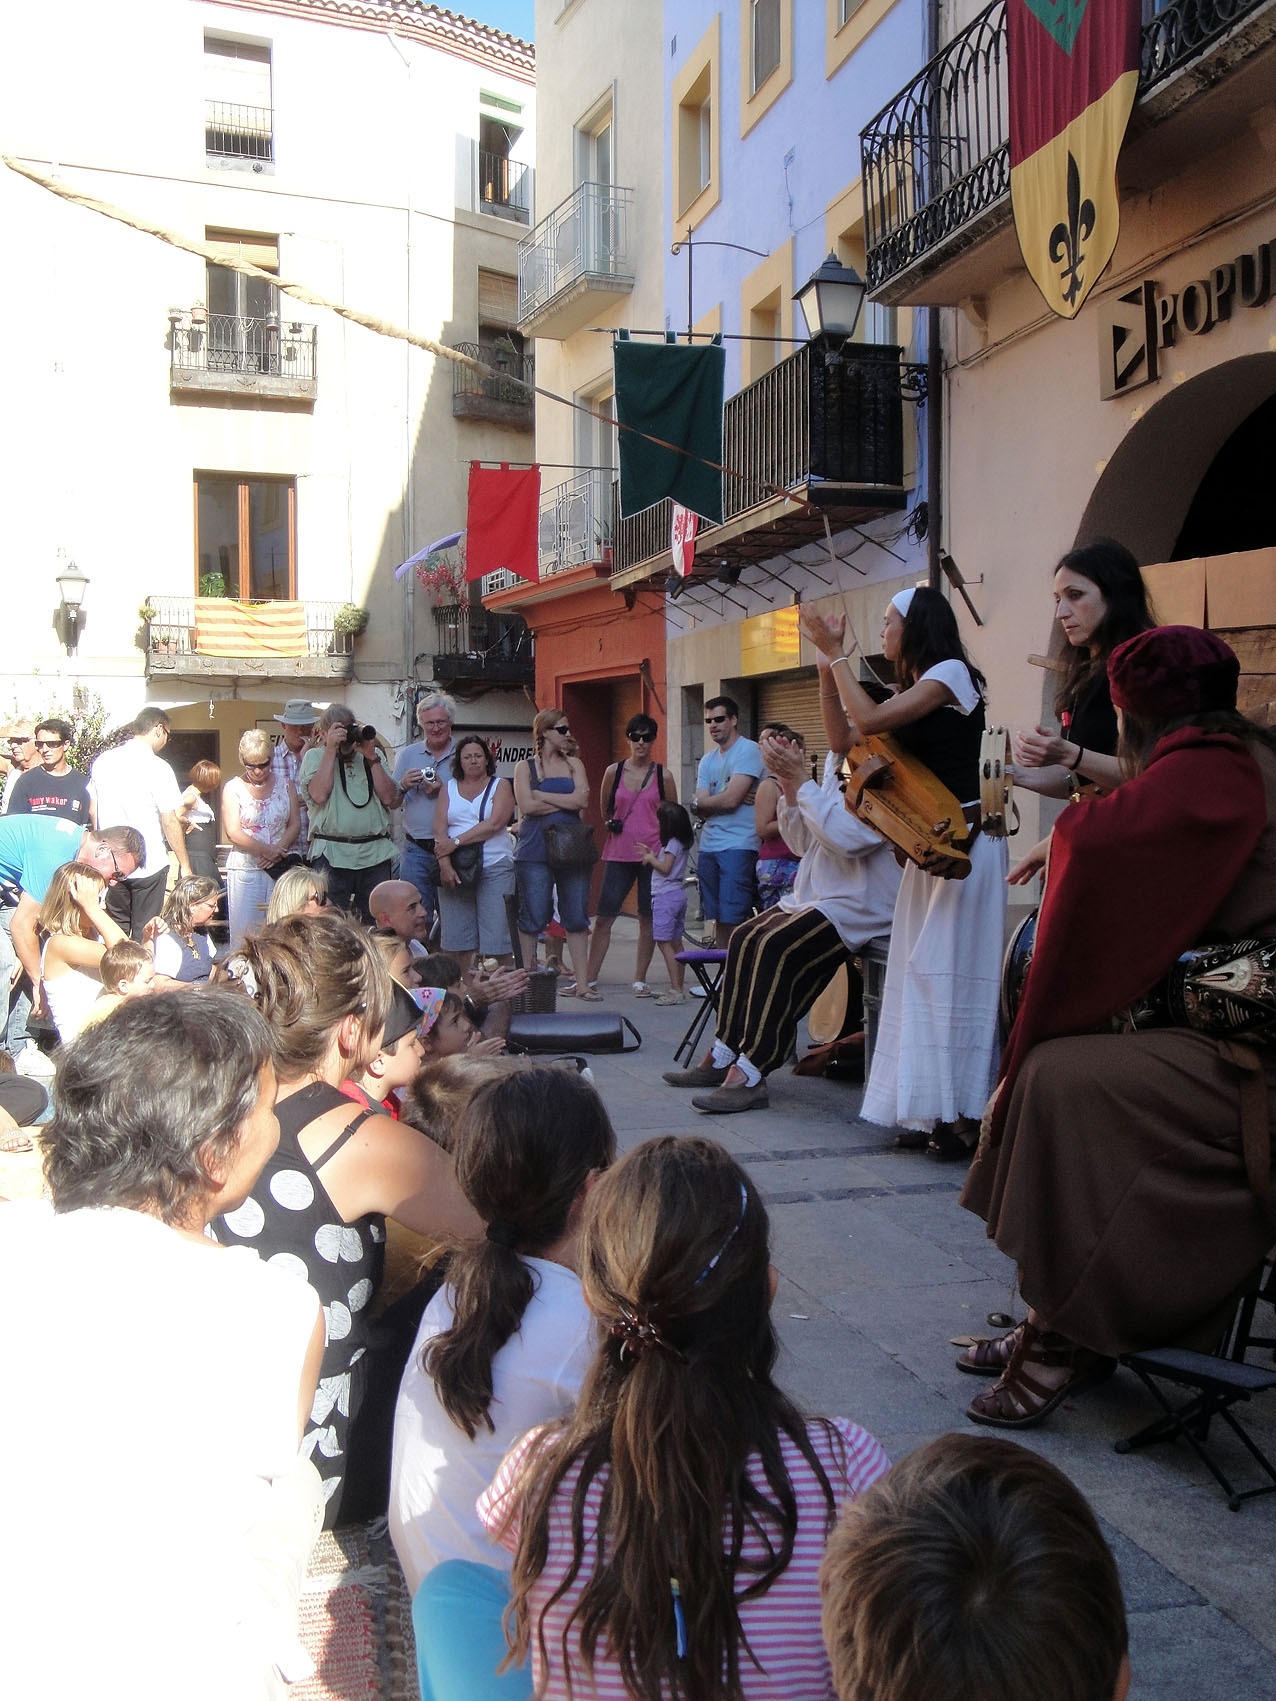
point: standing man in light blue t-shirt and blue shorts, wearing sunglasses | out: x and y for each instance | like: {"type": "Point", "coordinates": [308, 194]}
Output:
{"type": "Point", "coordinates": [726, 785]}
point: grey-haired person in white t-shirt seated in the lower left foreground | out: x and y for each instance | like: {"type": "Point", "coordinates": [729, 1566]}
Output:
{"type": "Point", "coordinates": [156, 1382]}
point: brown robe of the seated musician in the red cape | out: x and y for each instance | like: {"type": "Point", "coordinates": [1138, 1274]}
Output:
{"type": "Point", "coordinates": [1120, 1185]}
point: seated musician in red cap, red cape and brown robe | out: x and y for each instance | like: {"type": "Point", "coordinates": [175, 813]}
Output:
{"type": "Point", "coordinates": [1129, 1175]}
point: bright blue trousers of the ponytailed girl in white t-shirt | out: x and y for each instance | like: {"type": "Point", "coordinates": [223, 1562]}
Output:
{"type": "Point", "coordinates": [460, 1637]}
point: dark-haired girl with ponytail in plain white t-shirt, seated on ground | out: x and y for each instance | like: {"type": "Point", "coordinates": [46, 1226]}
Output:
{"type": "Point", "coordinates": [506, 1343]}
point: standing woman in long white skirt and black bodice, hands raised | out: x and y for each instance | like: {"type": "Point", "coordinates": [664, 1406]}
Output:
{"type": "Point", "coordinates": [937, 1049]}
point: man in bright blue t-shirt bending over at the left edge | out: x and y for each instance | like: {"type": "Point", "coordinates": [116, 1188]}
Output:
{"type": "Point", "coordinates": [31, 848]}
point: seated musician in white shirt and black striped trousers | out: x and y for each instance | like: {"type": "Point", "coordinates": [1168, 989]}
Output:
{"type": "Point", "coordinates": [780, 962]}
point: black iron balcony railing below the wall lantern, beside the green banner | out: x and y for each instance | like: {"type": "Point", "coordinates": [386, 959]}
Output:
{"type": "Point", "coordinates": [816, 419]}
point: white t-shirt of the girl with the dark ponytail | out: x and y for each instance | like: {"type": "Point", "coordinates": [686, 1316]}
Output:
{"type": "Point", "coordinates": [438, 1474]}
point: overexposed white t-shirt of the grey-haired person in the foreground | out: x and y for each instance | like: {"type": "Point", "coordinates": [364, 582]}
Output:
{"type": "Point", "coordinates": [151, 1401]}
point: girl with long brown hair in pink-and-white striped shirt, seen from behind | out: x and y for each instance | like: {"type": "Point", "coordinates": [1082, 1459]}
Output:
{"type": "Point", "coordinates": [668, 1535]}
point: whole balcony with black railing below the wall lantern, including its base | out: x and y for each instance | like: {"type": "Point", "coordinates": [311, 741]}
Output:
{"type": "Point", "coordinates": [826, 430]}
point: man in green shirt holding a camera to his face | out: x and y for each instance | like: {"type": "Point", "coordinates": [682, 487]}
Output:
{"type": "Point", "coordinates": [350, 795]}
